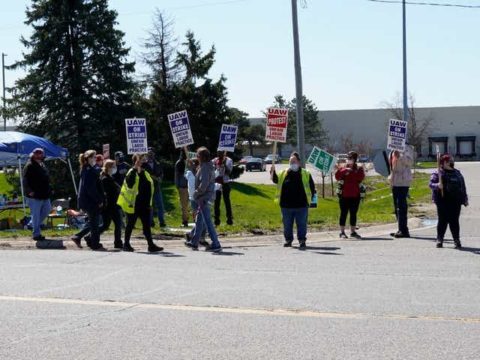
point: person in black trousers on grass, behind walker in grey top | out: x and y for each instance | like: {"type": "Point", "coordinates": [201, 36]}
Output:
{"type": "Point", "coordinates": [223, 169]}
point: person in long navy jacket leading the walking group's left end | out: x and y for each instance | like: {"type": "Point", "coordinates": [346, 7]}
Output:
{"type": "Point", "coordinates": [91, 198]}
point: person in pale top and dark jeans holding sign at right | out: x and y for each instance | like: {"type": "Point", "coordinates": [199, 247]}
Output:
{"type": "Point", "coordinates": [400, 180]}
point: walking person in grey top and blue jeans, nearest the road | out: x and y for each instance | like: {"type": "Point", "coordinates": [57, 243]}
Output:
{"type": "Point", "coordinates": [203, 196]}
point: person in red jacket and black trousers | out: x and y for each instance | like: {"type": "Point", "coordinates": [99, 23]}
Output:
{"type": "Point", "coordinates": [349, 178]}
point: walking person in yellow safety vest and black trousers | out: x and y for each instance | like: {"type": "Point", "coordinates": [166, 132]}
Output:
{"type": "Point", "coordinates": [136, 199]}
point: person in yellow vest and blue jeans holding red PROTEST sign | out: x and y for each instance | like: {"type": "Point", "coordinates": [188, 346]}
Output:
{"type": "Point", "coordinates": [295, 189]}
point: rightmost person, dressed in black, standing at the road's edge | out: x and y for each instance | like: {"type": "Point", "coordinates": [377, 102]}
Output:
{"type": "Point", "coordinates": [449, 193]}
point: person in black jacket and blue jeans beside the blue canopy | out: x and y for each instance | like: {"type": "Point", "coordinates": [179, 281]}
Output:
{"type": "Point", "coordinates": [37, 189]}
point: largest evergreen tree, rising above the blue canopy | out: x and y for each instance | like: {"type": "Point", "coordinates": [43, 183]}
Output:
{"type": "Point", "coordinates": [78, 88]}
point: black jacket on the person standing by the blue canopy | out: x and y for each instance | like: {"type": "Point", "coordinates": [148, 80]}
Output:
{"type": "Point", "coordinates": [36, 180]}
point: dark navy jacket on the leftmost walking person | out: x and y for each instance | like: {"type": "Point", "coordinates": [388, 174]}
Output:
{"type": "Point", "coordinates": [90, 192]}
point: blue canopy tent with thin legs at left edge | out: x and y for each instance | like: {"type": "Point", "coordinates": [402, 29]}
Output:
{"type": "Point", "coordinates": [16, 147]}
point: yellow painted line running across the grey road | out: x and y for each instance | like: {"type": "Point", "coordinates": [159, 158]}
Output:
{"type": "Point", "coordinates": [237, 310]}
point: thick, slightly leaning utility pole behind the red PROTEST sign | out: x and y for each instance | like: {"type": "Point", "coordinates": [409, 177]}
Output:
{"type": "Point", "coordinates": [298, 82]}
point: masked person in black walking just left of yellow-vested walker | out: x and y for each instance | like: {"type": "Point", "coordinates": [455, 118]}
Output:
{"type": "Point", "coordinates": [111, 212]}
